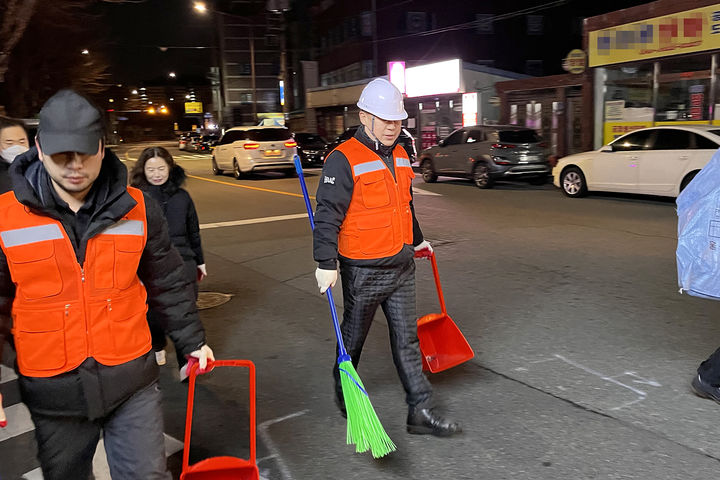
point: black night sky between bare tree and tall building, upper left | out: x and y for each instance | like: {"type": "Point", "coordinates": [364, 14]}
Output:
{"type": "Point", "coordinates": [136, 30]}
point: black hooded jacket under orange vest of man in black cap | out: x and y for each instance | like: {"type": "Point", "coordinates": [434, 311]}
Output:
{"type": "Point", "coordinates": [94, 390]}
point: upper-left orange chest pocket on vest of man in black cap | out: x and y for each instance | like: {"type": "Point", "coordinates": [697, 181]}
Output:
{"type": "Point", "coordinates": [35, 270]}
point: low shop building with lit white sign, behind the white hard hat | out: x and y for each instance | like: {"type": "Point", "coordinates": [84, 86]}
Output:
{"type": "Point", "coordinates": [440, 98]}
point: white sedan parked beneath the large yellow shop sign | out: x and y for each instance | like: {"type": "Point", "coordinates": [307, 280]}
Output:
{"type": "Point", "coordinates": [653, 161]}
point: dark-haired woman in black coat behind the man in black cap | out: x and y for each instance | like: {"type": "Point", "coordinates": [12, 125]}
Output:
{"type": "Point", "coordinates": [157, 174]}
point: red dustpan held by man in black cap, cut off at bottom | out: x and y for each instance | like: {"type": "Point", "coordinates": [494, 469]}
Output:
{"type": "Point", "coordinates": [220, 468]}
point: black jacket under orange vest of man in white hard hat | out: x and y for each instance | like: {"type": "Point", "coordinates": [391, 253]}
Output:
{"type": "Point", "coordinates": [333, 200]}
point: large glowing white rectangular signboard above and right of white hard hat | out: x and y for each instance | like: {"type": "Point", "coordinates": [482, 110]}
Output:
{"type": "Point", "coordinates": [433, 79]}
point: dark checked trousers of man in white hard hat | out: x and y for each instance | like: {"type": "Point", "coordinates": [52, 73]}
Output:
{"type": "Point", "coordinates": [364, 290]}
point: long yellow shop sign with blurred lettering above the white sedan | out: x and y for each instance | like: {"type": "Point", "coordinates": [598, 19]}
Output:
{"type": "Point", "coordinates": [690, 31]}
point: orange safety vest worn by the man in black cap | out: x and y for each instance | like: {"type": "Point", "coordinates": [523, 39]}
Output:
{"type": "Point", "coordinates": [63, 312]}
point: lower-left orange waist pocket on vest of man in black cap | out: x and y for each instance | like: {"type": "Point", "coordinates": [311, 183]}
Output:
{"type": "Point", "coordinates": [40, 340]}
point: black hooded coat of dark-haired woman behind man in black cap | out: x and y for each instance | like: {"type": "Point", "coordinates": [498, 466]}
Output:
{"type": "Point", "coordinates": [180, 213]}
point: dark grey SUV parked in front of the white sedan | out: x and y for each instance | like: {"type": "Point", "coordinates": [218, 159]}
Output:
{"type": "Point", "coordinates": [487, 153]}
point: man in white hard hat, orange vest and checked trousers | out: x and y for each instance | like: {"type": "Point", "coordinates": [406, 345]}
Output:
{"type": "Point", "coordinates": [365, 221]}
